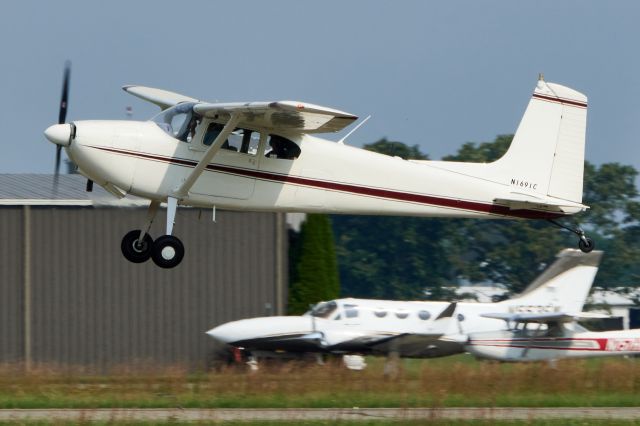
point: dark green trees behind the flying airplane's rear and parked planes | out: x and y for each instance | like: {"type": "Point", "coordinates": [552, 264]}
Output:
{"type": "Point", "coordinates": [402, 257]}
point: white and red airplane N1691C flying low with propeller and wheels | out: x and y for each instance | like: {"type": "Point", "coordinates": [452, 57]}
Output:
{"type": "Point", "coordinates": [264, 156]}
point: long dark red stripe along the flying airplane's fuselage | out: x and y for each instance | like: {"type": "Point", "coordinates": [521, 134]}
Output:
{"type": "Point", "coordinates": [348, 188]}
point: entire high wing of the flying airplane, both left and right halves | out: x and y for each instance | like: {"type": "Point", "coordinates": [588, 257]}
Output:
{"type": "Point", "coordinates": [290, 116]}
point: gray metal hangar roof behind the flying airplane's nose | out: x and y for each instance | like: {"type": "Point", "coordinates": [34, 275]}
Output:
{"type": "Point", "coordinates": [37, 189]}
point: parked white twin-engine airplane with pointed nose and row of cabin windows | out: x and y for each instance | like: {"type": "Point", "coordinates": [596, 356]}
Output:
{"type": "Point", "coordinates": [409, 329]}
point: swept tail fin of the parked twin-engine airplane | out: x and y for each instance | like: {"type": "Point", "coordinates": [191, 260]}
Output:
{"type": "Point", "coordinates": [564, 285]}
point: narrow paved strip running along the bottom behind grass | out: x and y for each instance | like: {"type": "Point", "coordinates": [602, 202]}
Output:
{"type": "Point", "coordinates": [318, 414]}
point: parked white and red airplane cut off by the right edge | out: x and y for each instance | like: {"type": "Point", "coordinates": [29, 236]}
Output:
{"type": "Point", "coordinates": [550, 336]}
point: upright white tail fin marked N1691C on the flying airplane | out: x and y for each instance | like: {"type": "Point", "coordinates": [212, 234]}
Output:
{"type": "Point", "coordinates": [546, 156]}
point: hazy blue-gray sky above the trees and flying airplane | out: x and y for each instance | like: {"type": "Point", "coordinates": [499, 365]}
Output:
{"type": "Point", "coordinates": [432, 73]}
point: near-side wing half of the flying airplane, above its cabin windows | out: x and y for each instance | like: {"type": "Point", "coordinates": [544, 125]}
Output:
{"type": "Point", "coordinates": [290, 116]}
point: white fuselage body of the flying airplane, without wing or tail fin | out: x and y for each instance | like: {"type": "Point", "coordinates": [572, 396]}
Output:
{"type": "Point", "coordinates": [140, 158]}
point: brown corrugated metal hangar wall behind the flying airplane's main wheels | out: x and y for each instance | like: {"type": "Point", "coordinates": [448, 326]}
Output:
{"type": "Point", "coordinates": [91, 307]}
